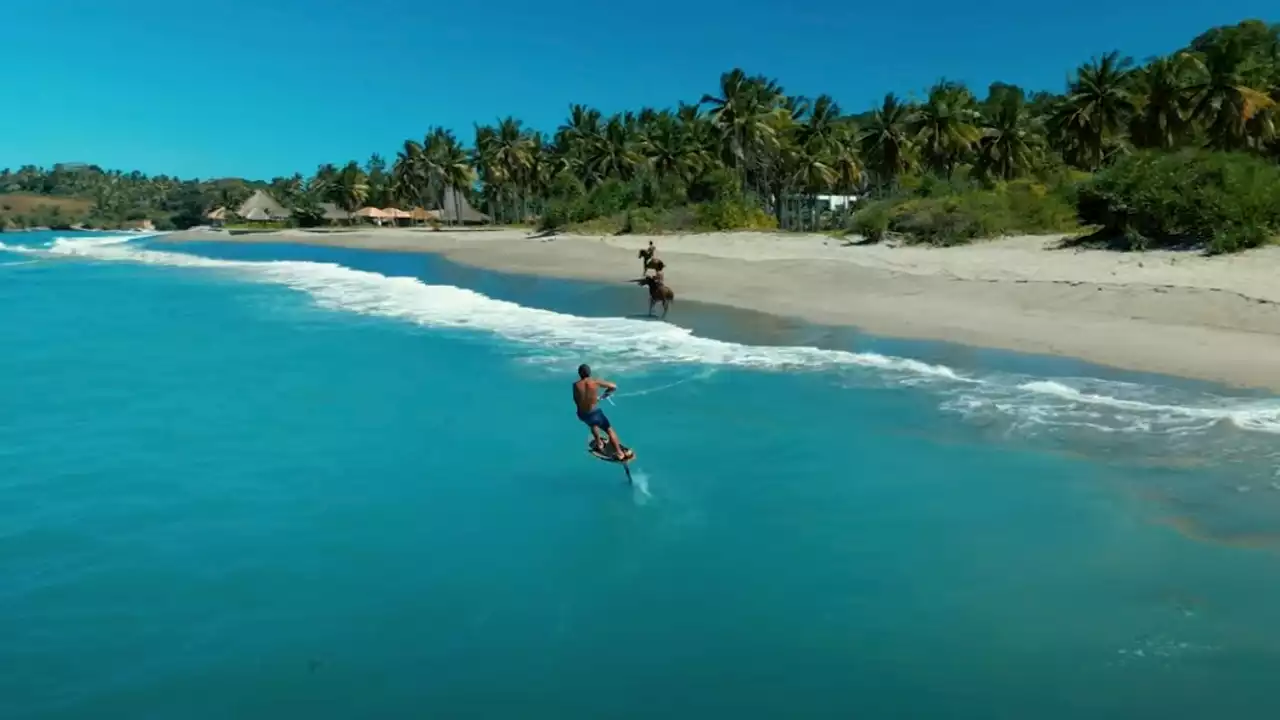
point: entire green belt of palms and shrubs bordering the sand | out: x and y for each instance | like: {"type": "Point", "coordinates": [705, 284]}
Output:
{"type": "Point", "coordinates": [948, 168]}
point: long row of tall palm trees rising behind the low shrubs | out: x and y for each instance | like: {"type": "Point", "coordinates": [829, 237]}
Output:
{"type": "Point", "coordinates": [752, 145]}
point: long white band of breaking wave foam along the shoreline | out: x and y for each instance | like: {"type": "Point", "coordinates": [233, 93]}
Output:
{"type": "Point", "coordinates": [1082, 403]}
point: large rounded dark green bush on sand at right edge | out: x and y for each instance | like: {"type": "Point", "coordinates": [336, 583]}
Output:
{"type": "Point", "coordinates": [1223, 202]}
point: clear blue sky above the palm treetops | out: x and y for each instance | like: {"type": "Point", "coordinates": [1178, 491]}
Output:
{"type": "Point", "coordinates": [269, 88]}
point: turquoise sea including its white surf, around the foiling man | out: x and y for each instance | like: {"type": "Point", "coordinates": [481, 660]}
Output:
{"type": "Point", "coordinates": [277, 482]}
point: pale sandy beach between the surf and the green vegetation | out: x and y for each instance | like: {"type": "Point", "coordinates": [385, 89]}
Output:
{"type": "Point", "coordinates": [1173, 313]}
